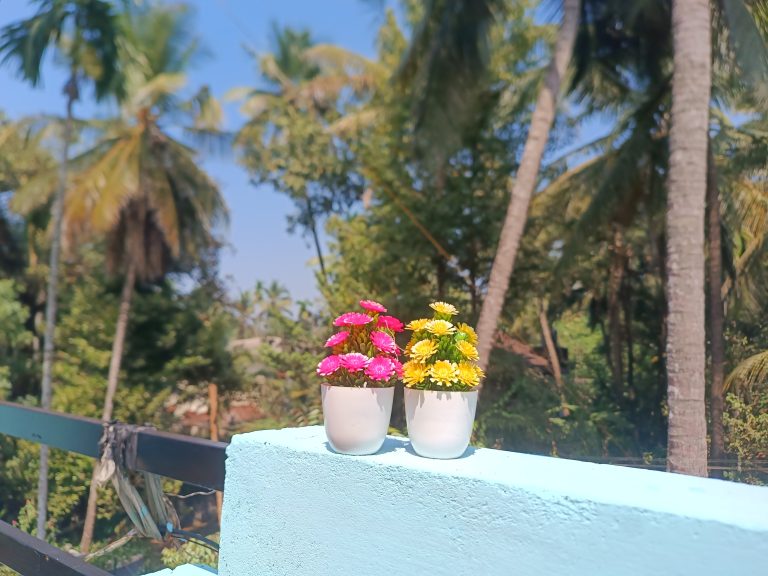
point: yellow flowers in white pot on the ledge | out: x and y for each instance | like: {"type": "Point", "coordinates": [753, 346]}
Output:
{"type": "Point", "coordinates": [441, 378]}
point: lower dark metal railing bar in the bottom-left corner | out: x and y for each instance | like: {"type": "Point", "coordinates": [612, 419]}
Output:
{"type": "Point", "coordinates": [33, 557]}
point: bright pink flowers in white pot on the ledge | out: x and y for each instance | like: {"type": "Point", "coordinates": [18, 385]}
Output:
{"type": "Point", "coordinates": [359, 379]}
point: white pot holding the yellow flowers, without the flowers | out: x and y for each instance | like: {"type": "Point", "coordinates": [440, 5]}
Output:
{"type": "Point", "coordinates": [440, 423]}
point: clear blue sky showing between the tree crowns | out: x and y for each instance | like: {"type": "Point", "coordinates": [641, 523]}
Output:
{"type": "Point", "coordinates": [260, 247]}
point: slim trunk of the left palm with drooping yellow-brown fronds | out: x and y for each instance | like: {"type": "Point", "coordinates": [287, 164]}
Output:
{"type": "Point", "coordinates": [109, 401]}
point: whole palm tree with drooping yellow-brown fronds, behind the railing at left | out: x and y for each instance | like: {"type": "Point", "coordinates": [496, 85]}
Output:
{"type": "Point", "coordinates": [141, 188]}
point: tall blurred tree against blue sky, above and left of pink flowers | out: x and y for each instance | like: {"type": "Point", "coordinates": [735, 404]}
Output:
{"type": "Point", "coordinates": [284, 141]}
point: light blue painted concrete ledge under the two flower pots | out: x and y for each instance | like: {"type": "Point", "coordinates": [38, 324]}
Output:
{"type": "Point", "coordinates": [292, 507]}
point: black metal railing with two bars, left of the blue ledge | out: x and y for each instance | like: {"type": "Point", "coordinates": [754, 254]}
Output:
{"type": "Point", "coordinates": [193, 460]}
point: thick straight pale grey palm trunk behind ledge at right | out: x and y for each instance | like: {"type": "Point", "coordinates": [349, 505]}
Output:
{"type": "Point", "coordinates": [686, 347]}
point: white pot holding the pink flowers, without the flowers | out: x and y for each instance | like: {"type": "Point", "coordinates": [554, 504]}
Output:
{"type": "Point", "coordinates": [356, 419]}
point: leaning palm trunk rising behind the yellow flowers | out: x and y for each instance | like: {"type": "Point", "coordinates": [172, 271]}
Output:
{"type": "Point", "coordinates": [525, 182]}
